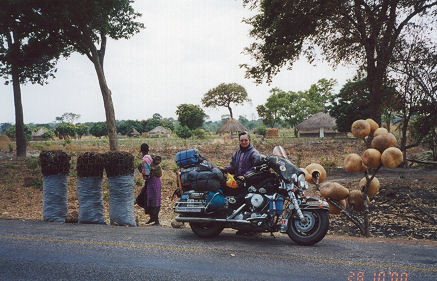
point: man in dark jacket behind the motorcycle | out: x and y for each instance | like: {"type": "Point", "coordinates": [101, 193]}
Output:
{"type": "Point", "coordinates": [243, 160]}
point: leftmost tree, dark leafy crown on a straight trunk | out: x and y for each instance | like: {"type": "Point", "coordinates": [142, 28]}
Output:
{"type": "Point", "coordinates": [27, 54]}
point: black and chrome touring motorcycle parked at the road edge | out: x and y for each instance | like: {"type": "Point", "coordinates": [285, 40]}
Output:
{"type": "Point", "coordinates": [270, 200]}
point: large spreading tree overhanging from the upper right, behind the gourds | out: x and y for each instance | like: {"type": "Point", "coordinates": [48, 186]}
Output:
{"type": "Point", "coordinates": [360, 31]}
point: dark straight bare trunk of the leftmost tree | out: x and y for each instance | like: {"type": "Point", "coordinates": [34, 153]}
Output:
{"type": "Point", "coordinates": [20, 137]}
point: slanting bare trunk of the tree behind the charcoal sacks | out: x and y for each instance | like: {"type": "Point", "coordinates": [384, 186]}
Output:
{"type": "Point", "coordinates": [109, 106]}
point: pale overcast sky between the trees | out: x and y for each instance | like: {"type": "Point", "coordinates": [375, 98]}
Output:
{"type": "Point", "coordinates": [187, 48]}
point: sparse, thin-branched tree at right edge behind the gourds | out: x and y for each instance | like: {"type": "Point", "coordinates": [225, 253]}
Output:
{"type": "Point", "coordinates": [414, 74]}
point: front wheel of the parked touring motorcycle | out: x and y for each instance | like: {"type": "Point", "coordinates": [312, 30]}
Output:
{"type": "Point", "coordinates": [310, 231]}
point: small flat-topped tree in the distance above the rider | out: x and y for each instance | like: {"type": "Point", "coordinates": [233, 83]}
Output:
{"type": "Point", "coordinates": [225, 94]}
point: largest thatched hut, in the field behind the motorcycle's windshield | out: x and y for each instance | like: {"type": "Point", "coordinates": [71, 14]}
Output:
{"type": "Point", "coordinates": [318, 125]}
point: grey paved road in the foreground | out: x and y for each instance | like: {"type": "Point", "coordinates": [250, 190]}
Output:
{"type": "Point", "coordinates": [35, 250]}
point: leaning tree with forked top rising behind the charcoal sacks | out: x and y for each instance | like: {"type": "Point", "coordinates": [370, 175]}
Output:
{"type": "Point", "coordinates": [85, 25]}
